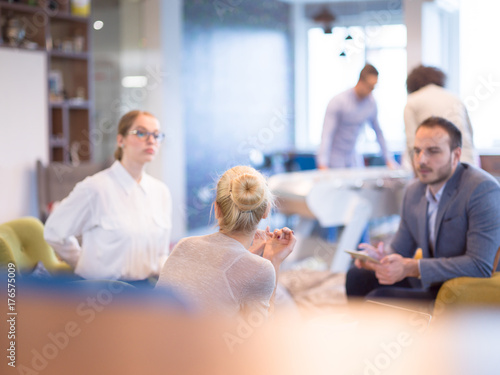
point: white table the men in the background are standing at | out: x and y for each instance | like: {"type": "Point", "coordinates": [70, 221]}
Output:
{"type": "Point", "coordinates": [348, 197]}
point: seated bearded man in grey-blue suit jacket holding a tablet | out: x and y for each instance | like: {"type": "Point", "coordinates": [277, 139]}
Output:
{"type": "Point", "coordinates": [451, 214]}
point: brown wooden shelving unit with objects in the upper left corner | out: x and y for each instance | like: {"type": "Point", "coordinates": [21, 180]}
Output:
{"type": "Point", "coordinates": [50, 26]}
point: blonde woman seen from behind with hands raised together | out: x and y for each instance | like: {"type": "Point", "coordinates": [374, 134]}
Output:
{"type": "Point", "coordinates": [236, 268]}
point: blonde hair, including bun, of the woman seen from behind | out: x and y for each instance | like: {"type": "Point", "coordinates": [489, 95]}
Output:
{"type": "Point", "coordinates": [243, 197]}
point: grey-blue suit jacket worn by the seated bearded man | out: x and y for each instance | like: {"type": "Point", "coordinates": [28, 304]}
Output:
{"type": "Point", "coordinates": [467, 227]}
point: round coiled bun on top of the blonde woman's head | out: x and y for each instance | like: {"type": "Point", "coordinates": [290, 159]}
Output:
{"type": "Point", "coordinates": [248, 191]}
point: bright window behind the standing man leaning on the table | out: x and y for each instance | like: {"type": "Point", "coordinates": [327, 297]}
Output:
{"type": "Point", "coordinates": [329, 74]}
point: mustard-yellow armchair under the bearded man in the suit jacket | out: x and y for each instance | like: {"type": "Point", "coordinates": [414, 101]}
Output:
{"type": "Point", "coordinates": [469, 291]}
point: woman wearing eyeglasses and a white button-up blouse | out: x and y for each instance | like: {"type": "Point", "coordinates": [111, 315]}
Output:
{"type": "Point", "coordinates": [122, 214]}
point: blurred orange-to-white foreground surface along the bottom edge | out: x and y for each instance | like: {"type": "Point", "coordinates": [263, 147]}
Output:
{"type": "Point", "coordinates": [114, 330]}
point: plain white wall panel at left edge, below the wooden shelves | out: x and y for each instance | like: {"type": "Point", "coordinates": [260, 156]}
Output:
{"type": "Point", "coordinates": [23, 129]}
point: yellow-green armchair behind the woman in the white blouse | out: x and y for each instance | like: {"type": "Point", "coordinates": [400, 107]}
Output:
{"type": "Point", "coordinates": [22, 243]}
